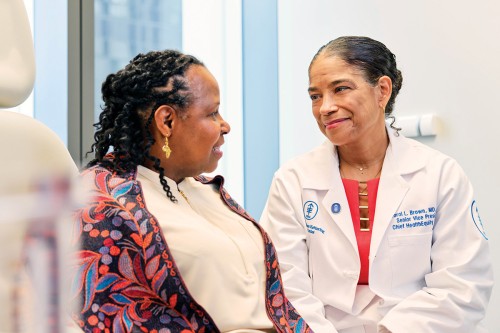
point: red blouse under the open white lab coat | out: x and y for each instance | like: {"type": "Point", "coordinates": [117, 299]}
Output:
{"type": "Point", "coordinates": [363, 237]}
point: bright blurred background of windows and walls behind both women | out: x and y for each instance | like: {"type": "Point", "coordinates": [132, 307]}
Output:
{"type": "Point", "coordinates": [259, 50]}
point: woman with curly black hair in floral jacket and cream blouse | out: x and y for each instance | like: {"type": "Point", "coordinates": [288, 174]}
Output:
{"type": "Point", "coordinates": [159, 131]}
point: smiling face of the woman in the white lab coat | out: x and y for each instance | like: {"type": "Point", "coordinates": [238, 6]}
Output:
{"type": "Point", "coordinates": [347, 108]}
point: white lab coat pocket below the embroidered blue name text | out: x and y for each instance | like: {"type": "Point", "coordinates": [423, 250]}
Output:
{"type": "Point", "coordinates": [410, 256]}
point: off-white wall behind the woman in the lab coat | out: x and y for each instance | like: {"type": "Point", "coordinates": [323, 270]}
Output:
{"type": "Point", "coordinates": [449, 53]}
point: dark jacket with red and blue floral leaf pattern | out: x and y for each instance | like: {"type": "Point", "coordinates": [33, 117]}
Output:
{"type": "Point", "coordinates": [127, 279]}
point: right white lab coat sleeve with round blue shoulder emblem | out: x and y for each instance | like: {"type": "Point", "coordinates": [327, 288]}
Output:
{"type": "Point", "coordinates": [458, 289]}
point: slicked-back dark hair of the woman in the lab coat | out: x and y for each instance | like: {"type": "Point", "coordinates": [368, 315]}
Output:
{"type": "Point", "coordinates": [372, 57]}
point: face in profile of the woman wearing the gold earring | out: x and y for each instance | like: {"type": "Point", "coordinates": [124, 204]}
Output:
{"type": "Point", "coordinates": [195, 134]}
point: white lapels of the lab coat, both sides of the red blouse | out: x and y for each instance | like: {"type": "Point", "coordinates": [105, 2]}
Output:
{"type": "Point", "coordinates": [403, 157]}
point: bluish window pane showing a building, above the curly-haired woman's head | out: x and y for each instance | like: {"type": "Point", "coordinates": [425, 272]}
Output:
{"type": "Point", "coordinates": [124, 28]}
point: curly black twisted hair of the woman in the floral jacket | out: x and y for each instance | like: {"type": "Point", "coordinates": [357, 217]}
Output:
{"type": "Point", "coordinates": [130, 95]}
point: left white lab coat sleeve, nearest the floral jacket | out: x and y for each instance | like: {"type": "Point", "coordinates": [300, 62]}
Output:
{"type": "Point", "coordinates": [281, 219]}
